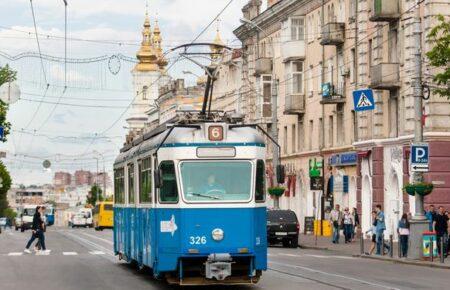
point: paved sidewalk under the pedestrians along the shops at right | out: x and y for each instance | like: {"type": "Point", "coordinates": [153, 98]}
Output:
{"type": "Point", "coordinates": [354, 249]}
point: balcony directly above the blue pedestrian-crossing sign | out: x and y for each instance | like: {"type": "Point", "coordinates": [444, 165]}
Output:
{"type": "Point", "coordinates": [385, 76]}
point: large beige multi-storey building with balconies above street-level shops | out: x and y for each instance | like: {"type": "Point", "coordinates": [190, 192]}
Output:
{"type": "Point", "coordinates": [320, 52]}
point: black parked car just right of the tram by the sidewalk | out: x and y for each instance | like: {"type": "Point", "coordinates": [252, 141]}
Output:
{"type": "Point", "coordinates": [282, 227]}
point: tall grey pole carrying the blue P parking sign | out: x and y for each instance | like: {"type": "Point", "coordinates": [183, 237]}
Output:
{"type": "Point", "coordinates": [419, 224]}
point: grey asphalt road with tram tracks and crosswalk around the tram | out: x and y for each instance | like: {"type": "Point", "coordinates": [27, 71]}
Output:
{"type": "Point", "coordinates": [82, 259]}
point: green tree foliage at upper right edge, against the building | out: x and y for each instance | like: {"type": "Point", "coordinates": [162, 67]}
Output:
{"type": "Point", "coordinates": [439, 55]}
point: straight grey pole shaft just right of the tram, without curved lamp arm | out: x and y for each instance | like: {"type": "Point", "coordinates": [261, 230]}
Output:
{"type": "Point", "coordinates": [275, 152]}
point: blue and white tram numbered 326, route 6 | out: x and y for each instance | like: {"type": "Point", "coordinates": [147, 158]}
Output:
{"type": "Point", "coordinates": [190, 203]}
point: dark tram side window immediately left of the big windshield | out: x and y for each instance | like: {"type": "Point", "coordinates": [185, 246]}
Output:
{"type": "Point", "coordinates": [168, 193]}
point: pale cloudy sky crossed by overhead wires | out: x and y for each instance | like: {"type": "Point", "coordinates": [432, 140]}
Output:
{"type": "Point", "coordinates": [78, 120]}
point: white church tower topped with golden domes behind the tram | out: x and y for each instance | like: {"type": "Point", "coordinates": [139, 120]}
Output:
{"type": "Point", "coordinates": [148, 76]}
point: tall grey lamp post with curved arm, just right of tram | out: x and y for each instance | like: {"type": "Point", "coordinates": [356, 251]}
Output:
{"type": "Point", "coordinates": [274, 99]}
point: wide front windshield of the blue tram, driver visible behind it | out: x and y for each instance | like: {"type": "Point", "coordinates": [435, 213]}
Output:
{"type": "Point", "coordinates": [216, 180]}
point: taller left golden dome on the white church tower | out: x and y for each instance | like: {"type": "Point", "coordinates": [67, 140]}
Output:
{"type": "Point", "coordinates": [147, 54]}
